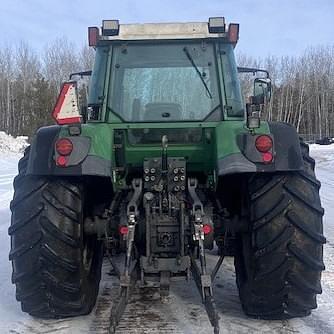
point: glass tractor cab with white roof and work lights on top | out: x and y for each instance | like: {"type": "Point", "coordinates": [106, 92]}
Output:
{"type": "Point", "coordinates": [166, 72]}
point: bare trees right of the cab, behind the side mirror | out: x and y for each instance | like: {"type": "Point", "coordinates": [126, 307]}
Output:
{"type": "Point", "coordinates": [303, 90]}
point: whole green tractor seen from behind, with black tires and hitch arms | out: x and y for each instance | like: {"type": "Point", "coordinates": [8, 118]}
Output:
{"type": "Point", "coordinates": [165, 162]}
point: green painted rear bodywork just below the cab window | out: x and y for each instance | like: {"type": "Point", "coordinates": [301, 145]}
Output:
{"type": "Point", "coordinates": [219, 140]}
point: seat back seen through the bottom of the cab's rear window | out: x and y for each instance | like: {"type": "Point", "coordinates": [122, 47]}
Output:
{"type": "Point", "coordinates": [162, 112]}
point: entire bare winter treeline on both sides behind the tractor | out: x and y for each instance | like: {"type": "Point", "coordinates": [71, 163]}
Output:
{"type": "Point", "coordinates": [303, 86]}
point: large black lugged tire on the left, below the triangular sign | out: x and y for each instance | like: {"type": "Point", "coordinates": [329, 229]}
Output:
{"type": "Point", "coordinates": [56, 268]}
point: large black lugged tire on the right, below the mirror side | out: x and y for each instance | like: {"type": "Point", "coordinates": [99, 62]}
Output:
{"type": "Point", "coordinates": [279, 260]}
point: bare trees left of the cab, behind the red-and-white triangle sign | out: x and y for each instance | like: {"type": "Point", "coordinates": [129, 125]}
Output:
{"type": "Point", "coordinates": [30, 83]}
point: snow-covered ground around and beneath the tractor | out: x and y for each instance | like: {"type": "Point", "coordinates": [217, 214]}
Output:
{"type": "Point", "coordinates": [183, 311]}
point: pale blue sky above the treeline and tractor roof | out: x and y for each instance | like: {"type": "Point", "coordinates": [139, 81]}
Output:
{"type": "Point", "coordinates": [280, 27]}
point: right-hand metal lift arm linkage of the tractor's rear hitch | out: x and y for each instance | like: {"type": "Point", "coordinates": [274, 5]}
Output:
{"type": "Point", "coordinates": [202, 279]}
